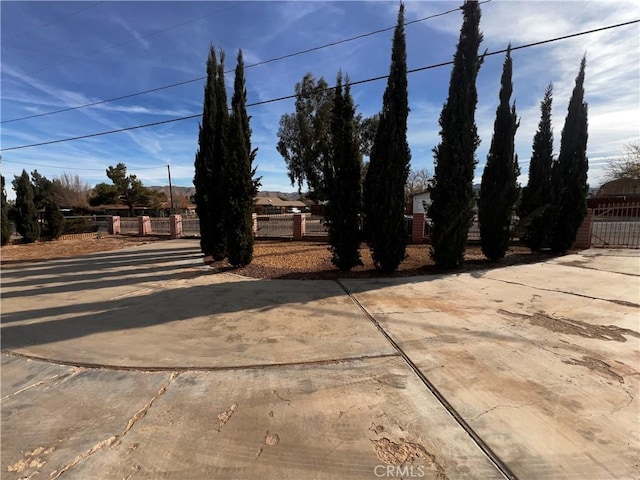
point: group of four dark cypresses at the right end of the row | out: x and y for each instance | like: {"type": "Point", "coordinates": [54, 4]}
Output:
{"type": "Point", "coordinates": [553, 204]}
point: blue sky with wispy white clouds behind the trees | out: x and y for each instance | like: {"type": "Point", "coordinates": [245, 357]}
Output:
{"type": "Point", "coordinates": [63, 54]}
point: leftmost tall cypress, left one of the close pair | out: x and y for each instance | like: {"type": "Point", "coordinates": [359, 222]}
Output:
{"type": "Point", "coordinates": [203, 179]}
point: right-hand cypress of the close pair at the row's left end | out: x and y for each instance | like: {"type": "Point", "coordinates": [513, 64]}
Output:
{"type": "Point", "coordinates": [241, 186]}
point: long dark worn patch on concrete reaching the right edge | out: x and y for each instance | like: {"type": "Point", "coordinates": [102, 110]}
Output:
{"type": "Point", "coordinates": [575, 327]}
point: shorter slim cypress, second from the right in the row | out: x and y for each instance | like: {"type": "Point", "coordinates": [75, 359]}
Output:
{"type": "Point", "coordinates": [537, 195]}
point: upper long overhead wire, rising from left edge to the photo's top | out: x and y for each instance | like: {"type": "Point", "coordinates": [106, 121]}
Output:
{"type": "Point", "coordinates": [264, 62]}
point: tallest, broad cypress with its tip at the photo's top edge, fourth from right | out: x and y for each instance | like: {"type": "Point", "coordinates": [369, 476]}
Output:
{"type": "Point", "coordinates": [452, 194]}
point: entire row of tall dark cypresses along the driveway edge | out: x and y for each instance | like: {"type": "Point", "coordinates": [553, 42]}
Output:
{"type": "Point", "coordinates": [553, 204]}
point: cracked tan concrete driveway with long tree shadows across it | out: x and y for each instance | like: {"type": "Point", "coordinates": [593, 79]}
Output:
{"type": "Point", "coordinates": [141, 363]}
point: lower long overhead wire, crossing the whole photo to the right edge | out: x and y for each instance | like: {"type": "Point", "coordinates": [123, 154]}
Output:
{"type": "Point", "coordinates": [359, 82]}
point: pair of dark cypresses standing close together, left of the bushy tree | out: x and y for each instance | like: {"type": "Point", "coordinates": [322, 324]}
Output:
{"type": "Point", "coordinates": [225, 187]}
